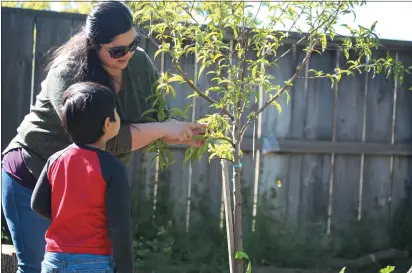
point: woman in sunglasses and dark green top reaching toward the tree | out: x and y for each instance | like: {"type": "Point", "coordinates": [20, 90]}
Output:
{"type": "Point", "coordinates": [105, 52]}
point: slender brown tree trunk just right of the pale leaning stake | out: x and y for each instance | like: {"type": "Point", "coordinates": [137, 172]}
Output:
{"type": "Point", "coordinates": [237, 197]}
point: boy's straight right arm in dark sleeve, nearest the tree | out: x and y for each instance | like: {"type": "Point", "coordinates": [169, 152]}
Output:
{"type": "Point", "coordinates": [118, 218]}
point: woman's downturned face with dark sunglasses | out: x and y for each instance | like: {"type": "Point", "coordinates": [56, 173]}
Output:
{"type": "Point", "coordinates": [126, 39]}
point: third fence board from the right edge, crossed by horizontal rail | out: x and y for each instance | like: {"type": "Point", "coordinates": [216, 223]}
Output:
{"type": "Point", "coordinates": [349, 114]}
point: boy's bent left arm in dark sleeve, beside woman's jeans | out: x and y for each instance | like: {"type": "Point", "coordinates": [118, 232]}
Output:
{"type": "Point", "coordinates": [41, 197]}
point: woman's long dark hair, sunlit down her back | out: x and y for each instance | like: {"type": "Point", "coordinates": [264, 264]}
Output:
{"type": "Point", "coordinates": [105, 21]}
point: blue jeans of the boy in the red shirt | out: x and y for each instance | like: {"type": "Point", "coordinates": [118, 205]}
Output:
{"type": "Point", "coordinates": [77, 263]}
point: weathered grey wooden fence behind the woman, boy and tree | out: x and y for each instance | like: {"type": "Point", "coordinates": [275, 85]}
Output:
{"type": "Point", "coordinates": [342, 153]}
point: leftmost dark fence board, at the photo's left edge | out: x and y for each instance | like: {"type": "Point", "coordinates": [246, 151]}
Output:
{"type": "Point", "coordinates": [16, 61]}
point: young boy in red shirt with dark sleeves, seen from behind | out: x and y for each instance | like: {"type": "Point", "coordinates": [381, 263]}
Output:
{"type": "Point", "coordinates": [84, 191]}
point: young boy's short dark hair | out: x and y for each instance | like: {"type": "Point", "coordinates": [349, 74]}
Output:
{"type": "Point", "coordinates": [86, 105]}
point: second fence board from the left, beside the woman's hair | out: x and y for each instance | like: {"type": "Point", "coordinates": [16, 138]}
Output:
{"type": "Point", "coordinates": [50, 33]}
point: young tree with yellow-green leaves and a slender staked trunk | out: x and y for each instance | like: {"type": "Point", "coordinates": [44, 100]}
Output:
{"type": "Point", "coordinates": [222, 35]}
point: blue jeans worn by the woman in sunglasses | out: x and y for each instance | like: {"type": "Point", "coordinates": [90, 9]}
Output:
{"type": "Point", "coordinates": [27, 229]}
